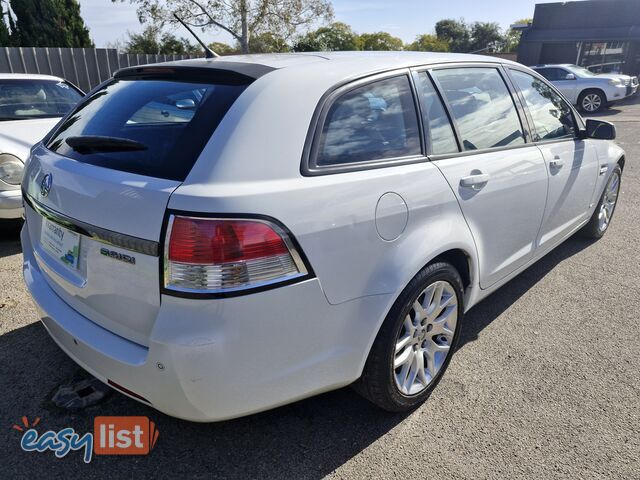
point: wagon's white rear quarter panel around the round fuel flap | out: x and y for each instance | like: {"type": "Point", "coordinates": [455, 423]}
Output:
{"type": "Point", "coordinates": [333, 217]}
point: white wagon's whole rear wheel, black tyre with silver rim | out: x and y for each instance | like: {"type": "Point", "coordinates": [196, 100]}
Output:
{"type": "Point", "coordinates": [416, 340]}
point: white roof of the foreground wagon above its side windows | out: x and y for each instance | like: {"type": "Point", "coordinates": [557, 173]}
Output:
{"type": "Point", "coordinates": [350, 63]}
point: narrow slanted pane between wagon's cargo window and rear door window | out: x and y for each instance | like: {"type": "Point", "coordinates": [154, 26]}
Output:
{"type": "Point", "coordinates": [440, 136]}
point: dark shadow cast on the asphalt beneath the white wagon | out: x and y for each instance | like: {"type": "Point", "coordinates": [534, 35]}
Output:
{"type": "Point", "coordinates": [308, 439]}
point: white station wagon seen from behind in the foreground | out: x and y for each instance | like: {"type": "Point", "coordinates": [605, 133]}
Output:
{"type": "Point", "coordinates": [219, 237]}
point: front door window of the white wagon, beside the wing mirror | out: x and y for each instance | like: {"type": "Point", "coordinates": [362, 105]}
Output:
{"type": "Point", "coordinates": [552, 117]}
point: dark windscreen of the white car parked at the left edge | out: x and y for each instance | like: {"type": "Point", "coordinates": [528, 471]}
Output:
{"type": "Point", "coordinates": [23, 99]}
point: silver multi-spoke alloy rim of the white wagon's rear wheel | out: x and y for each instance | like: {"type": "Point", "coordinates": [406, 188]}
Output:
{"type": "Point", "coordinates": [425, 339]}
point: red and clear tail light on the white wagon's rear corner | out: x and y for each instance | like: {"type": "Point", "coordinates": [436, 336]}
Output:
{"type": "Point", "coordinates": [219, 255]}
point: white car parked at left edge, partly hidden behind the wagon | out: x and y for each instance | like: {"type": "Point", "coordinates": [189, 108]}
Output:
{"type": "Point", "coordinates": [30, 105]}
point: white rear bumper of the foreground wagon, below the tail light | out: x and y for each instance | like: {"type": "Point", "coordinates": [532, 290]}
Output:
{"type": "Point", "coordinates": [211, 360]}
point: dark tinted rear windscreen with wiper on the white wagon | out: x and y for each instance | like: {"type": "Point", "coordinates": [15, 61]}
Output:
{"type": "Point", "coordinates": [147, 126]}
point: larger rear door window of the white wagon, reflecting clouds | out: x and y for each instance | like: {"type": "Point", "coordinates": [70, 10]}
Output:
{"type": "Point", "coordinates": [482, 107]}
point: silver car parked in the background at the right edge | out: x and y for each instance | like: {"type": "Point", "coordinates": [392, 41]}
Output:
{"type": "Point", "coordinates": [589, 91]}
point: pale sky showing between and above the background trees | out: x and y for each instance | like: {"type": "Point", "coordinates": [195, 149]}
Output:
{"type": "Point", "coordinates": [109, 22]}
